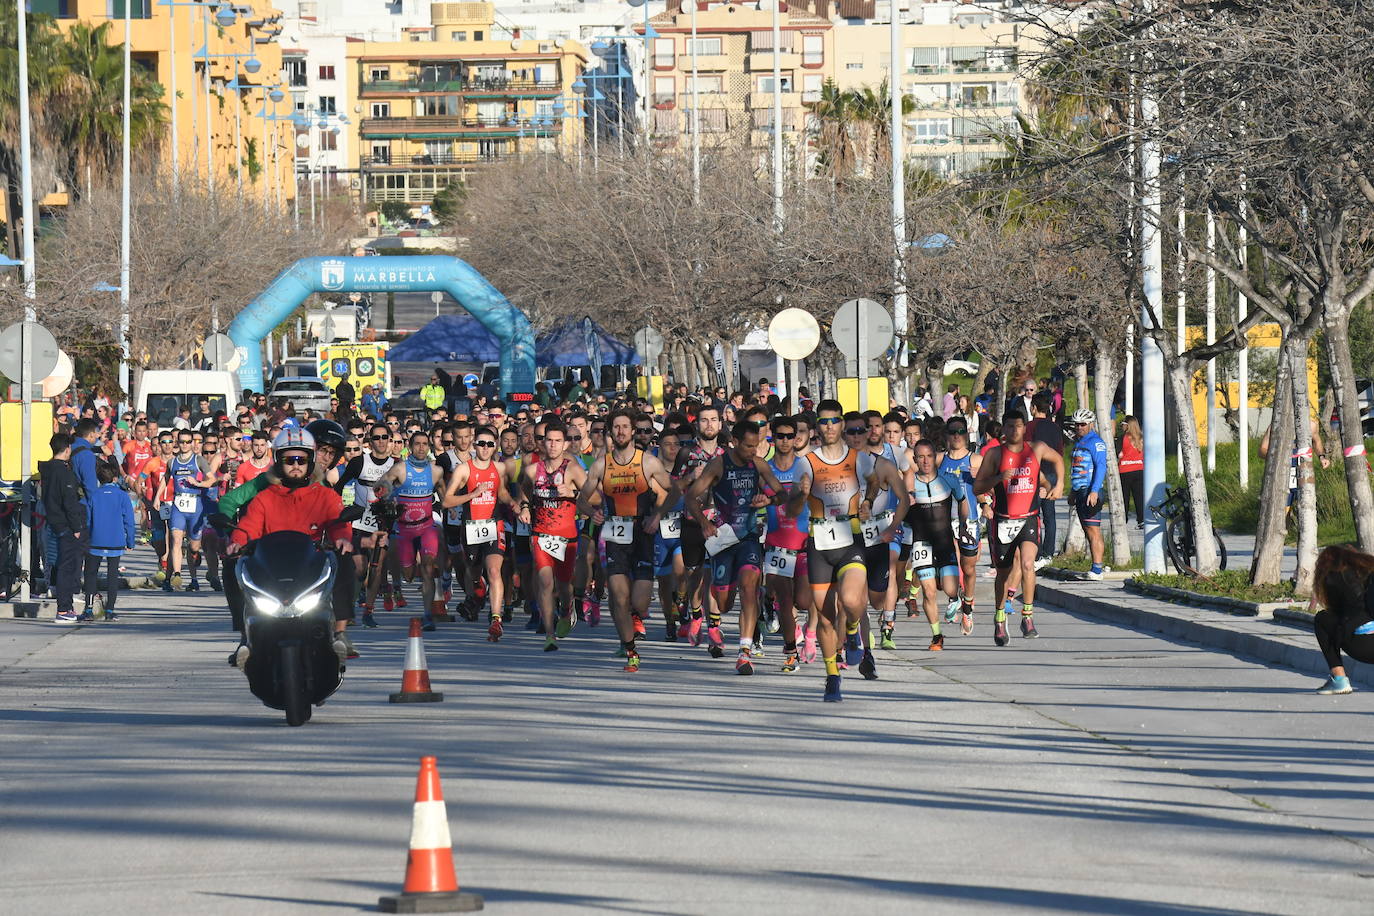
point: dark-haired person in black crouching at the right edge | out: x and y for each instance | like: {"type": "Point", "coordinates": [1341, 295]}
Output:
{"type": "Point", "coordinates": [1342, 587]}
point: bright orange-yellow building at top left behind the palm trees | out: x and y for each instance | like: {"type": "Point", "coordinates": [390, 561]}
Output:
{"type": "Point", "coordinates": [236, 131]}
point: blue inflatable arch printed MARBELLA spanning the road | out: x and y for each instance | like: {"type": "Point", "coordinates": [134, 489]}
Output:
{"type": "Point", "coordinates": [388, 274]}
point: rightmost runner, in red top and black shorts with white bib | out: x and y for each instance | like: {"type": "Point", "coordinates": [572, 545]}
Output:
{"type": "Point", "coordinates": [1012, 473]}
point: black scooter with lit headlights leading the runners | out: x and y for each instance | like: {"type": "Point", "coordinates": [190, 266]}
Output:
{"type": "Point", "coordinates": [288, 584]}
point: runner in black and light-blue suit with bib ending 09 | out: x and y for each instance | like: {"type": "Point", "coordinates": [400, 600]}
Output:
{"type": "Point", "coordinates": [934, 557]}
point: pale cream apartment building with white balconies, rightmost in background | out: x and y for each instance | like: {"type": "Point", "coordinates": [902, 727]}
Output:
{"type": "Point", "coordinates": [961, 71]}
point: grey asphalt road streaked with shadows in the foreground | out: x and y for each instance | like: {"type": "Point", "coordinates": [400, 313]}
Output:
{"type": "Point", "coordinates": [1093, 771]}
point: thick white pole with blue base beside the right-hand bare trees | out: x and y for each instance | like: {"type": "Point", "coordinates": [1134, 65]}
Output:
{"type": "Point", "coordinates": [1152, 360]}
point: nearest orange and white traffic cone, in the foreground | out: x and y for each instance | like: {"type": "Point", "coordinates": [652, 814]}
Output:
{"type": "Point", "coordinates": [431, 884]}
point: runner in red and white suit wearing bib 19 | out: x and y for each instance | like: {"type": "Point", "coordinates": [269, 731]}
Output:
{"type": "Point", "coordinates": [480, 485]}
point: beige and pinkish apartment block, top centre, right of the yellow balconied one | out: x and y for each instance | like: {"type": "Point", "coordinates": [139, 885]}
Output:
{"type": "Point", "coordinates": [734, 86]}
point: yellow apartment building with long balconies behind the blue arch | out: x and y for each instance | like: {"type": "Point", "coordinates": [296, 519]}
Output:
{"type": "Point", "coordinates": [432, 112]}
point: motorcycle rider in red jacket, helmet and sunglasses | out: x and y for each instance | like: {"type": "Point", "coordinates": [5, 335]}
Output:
{"type": "Point", "coordinates": [295, 502]}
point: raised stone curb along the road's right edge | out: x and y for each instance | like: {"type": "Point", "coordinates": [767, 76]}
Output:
{"type": "Point", "coordinates": [1252, 638]}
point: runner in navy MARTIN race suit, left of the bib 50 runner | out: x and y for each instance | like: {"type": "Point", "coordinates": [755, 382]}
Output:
{"type": "Point", "coordinates": [730, 536]}
